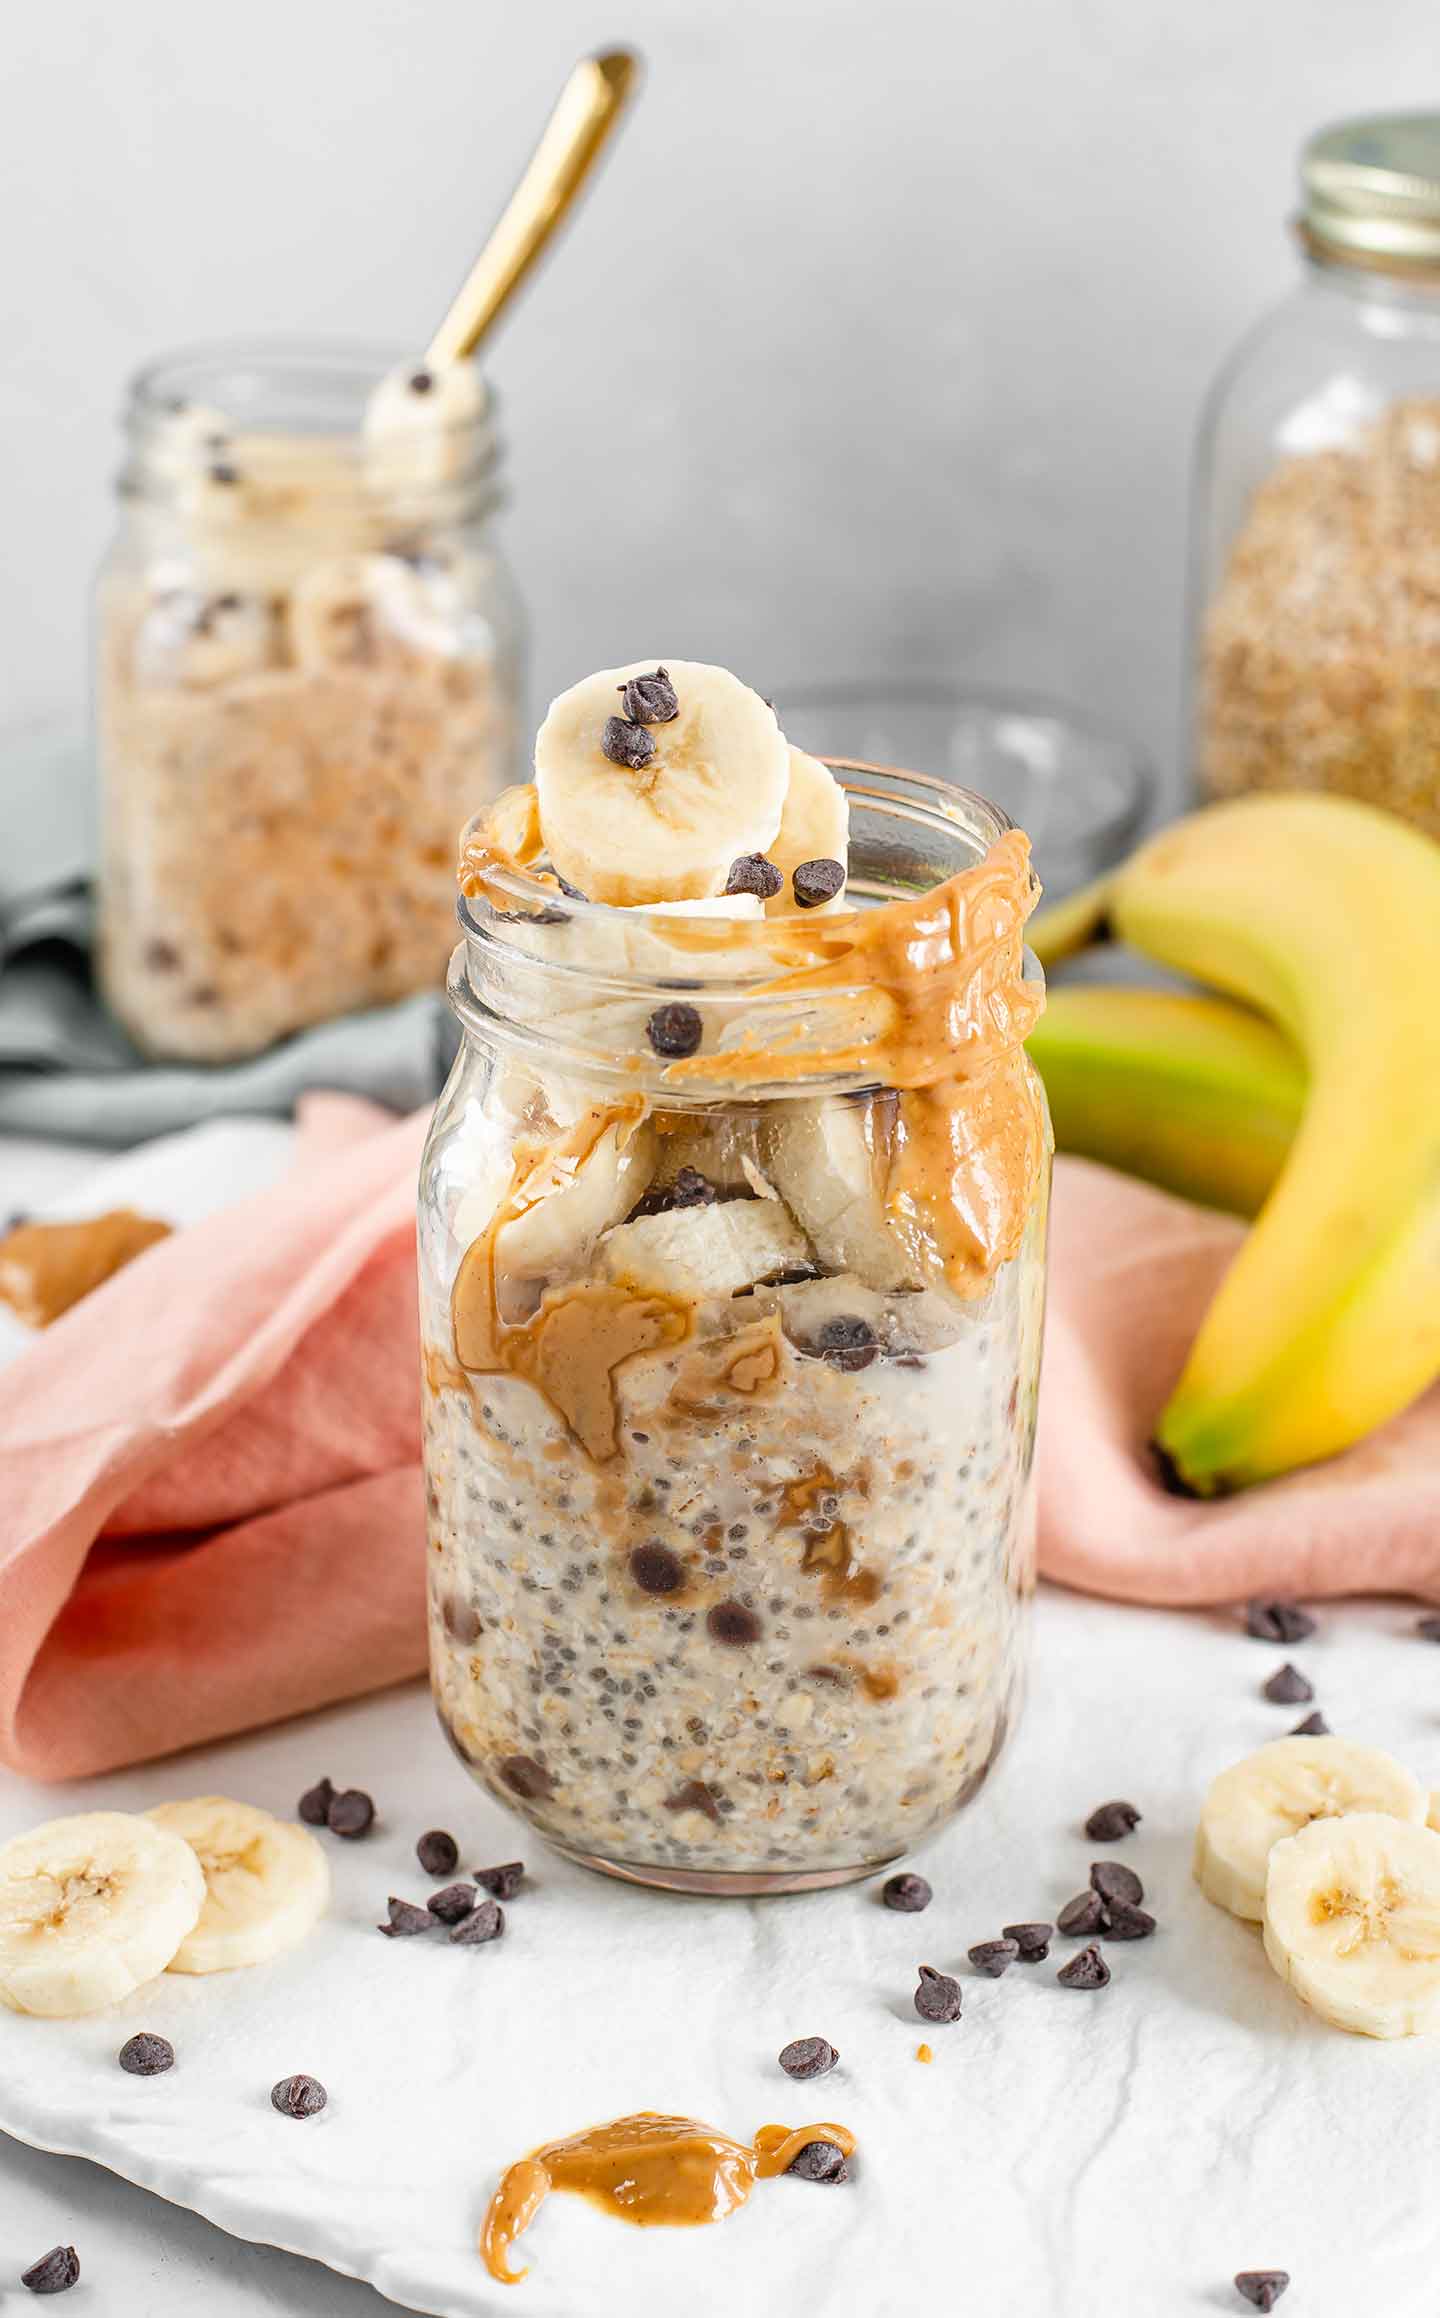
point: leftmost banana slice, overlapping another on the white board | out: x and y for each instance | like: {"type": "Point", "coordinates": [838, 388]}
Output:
{"type": "Point", "coordinates": [92, 1909]}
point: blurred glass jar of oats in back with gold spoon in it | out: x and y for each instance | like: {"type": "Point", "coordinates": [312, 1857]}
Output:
{"type": "Point", "coordinates": [307, 671]}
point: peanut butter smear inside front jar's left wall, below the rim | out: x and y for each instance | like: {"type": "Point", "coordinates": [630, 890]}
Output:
{"type": "Point", "coordinates": [579, 1341]}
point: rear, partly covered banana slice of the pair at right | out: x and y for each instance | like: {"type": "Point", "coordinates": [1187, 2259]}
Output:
{"type": "Point", "coordinates": [1279, 1791]}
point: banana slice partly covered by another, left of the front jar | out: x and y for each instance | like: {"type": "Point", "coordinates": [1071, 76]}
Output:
{"type": "Point", "coordinates": [266, 1883]}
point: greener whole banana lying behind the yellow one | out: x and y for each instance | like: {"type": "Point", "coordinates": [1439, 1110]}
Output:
{"type": "Point", "coordinates": [1188, 1093]}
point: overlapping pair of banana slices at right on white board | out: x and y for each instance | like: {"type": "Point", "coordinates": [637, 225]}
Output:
{"type": "Point", "coordinates": [1328, 1846]}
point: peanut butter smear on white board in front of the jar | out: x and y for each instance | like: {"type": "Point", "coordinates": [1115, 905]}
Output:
{"type": "Point", "coordinates": [648, 2171]}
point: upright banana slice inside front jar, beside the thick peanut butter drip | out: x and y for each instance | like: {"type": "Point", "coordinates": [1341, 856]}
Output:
{"type": "Point", "coordinates": [827, 1162]}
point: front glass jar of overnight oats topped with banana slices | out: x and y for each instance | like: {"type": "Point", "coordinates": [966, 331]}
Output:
{"type": "Point", "coordinates": [732, 1253]}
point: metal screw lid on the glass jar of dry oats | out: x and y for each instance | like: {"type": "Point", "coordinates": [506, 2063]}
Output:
{"type": "Point", "coordinates": [1374, 191]}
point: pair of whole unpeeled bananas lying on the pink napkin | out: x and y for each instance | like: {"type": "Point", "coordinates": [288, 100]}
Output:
{"type": "Point", "coordinates": [1318, 1111]}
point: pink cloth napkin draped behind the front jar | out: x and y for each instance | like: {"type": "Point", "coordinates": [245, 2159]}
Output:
{"type": "Point", "coordinates": [212, 1510]}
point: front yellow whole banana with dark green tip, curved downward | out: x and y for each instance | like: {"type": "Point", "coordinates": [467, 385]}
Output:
{"type": "Point", "coordinates": [1325, 914]}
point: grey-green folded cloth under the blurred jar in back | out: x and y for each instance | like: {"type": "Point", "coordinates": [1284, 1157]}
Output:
{"type": "Point", "coordinates": [68, 1070]}
